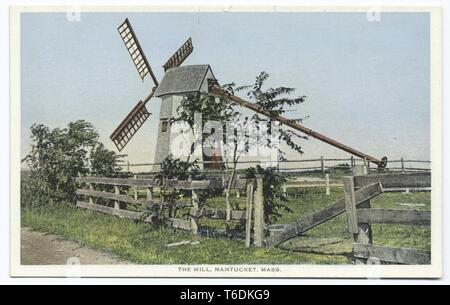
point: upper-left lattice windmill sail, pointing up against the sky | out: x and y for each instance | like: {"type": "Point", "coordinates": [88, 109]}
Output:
{"type": "Point", "coordinates": [134, 49]}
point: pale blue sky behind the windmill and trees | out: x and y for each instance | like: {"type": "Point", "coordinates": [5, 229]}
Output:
{"type": "Point", "coordinates": [367, 82]}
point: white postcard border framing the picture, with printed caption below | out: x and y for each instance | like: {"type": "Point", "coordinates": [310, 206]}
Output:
{"type": "Point", "coordinates": [286, 271]}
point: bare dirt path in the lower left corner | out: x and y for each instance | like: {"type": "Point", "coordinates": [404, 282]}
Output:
{"type": "Point", "coordinates": [48, 249]}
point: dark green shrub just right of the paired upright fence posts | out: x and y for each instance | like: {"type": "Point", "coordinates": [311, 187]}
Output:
{"type": "Point", "coordinates": [274, 199]}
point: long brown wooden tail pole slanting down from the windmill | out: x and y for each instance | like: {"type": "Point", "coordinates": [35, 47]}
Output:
{"type": "Point", "coordinates": [297, 126]}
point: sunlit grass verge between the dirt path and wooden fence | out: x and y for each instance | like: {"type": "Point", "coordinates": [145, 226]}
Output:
{"type": "Point", "coordinates": [138, 243]}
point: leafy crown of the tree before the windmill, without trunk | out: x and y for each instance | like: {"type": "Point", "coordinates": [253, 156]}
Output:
{"type": "Point", "coordinates": [223, 110]}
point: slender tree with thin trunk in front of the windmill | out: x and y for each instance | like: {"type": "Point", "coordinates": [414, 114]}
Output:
{"type": "Point", "coordinates": [237, 135]}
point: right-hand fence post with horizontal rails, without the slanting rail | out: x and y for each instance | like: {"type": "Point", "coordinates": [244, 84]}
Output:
{"type": "Point", "coordinates": [360, 217]}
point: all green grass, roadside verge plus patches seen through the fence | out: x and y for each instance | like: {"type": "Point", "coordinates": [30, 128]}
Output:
{"type": "Point", "coordinates": [328, 243]}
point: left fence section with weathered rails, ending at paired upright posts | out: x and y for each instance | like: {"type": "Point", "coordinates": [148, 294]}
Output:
{"type": "Point", "coordinates": [253, 215]}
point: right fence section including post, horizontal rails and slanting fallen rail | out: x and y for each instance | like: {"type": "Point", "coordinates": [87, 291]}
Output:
{"type": "Point", "coordinates": [358, 191]}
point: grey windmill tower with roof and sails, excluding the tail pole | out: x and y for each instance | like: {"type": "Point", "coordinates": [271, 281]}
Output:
{"type": "Point", "coordinates": [176, 83]}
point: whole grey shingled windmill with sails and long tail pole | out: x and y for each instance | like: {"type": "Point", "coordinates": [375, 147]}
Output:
{"type": "Point", "coordinates": [179, 81]}
